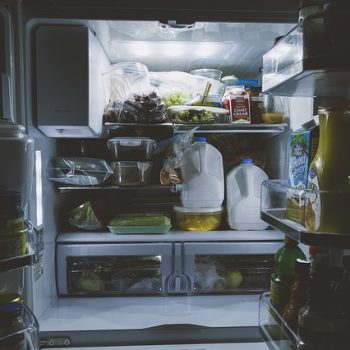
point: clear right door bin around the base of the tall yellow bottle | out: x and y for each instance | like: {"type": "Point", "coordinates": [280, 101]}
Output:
{"type": "Point", "coordinates": [274, 202]}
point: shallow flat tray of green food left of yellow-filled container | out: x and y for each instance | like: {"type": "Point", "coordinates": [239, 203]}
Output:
{"type": "Point", "coordinates": [140, 224]}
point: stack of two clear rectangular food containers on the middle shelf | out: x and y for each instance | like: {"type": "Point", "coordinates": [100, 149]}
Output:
{"type": "Point", "coordinates": [132, 154]}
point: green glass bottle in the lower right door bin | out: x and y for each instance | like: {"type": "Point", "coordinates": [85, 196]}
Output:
{"type": "Point", "coordinates": [283, 275]}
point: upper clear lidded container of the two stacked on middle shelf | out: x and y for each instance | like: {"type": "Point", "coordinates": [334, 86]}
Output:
{"type": "Point", "coordinates": [131, 148]}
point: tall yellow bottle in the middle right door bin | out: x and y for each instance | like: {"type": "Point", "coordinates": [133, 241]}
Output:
{"type": "Point", "coordinates": [327, 204]}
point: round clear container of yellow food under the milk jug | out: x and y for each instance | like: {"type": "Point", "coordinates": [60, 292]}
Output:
{"type": "Point", "coordinates": [201, 219]}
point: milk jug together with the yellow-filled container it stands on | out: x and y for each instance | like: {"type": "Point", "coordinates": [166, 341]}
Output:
{"type": "Point", "coordinates": [202, 191]}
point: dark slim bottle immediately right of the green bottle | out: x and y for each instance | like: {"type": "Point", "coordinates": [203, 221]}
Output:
{"type": "Point", "coordinates": [298, 294]}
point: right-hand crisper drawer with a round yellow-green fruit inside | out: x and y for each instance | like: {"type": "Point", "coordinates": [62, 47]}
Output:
{"type": "Point", "coordinates": [242, 267]}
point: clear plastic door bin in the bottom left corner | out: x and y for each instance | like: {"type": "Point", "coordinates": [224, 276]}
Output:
{"type": "Point", "coordinates": [27, 337]}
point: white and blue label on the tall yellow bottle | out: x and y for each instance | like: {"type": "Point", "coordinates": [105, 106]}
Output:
{"type": "Point", "coordinates": [313, 206]}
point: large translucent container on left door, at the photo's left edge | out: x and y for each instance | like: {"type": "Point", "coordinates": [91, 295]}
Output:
{"type": "Point", "coordinates": [16, 160]}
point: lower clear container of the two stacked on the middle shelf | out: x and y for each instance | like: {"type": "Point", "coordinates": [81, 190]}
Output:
{"type": "Point", "coordinates": [131, 173]}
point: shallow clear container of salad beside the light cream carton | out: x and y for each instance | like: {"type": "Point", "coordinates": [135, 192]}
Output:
{"type": "Point", "coordinates": [198, 114]}
